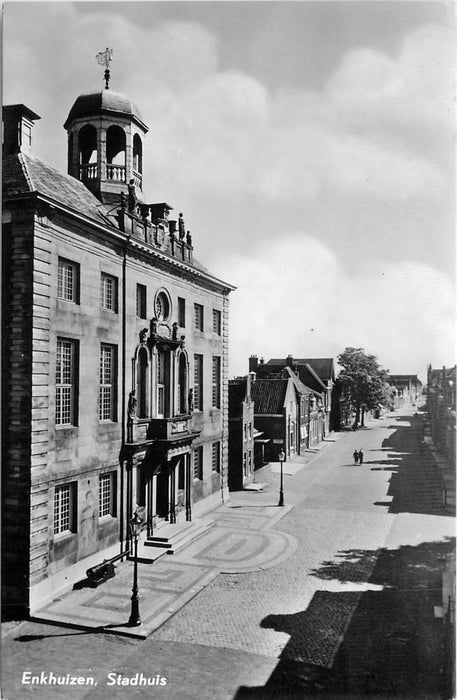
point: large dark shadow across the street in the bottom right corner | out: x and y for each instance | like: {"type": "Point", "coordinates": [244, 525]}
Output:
{"type": "Point", "coordinates": [369, 644]}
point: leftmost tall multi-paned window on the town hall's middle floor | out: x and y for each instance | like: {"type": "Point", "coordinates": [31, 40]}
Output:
{"type": "Point", "coordinates": [66, 387]}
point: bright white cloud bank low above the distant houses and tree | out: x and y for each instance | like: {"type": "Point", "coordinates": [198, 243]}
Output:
{"type": "Point", "coordinates": [304, 303]}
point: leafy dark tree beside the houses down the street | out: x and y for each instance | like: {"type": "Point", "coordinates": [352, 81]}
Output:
{"type": "Point", "coordinates": [364, 383]}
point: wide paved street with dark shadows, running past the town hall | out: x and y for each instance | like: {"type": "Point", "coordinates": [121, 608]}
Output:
{"type": "Point", "coordinates": [337, 602]}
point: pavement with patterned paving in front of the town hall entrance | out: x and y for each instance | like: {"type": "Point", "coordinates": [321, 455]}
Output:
{"type": "Point", "coordinates": [240, 540]}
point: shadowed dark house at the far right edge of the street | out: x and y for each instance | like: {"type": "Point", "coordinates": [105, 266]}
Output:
{"type": "Point", "coordinates": [441, 408]}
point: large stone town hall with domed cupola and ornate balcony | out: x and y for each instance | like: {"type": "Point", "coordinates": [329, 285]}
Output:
{"type": "Point", "coordinates": [115, 354]}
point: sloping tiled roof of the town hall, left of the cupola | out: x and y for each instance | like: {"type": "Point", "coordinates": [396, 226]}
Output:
{"type": "Point", "coordinates": [23, 173]}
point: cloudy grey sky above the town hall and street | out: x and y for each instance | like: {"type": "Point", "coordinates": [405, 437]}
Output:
{"type": "Point", "coordinates": [310, 146]}
